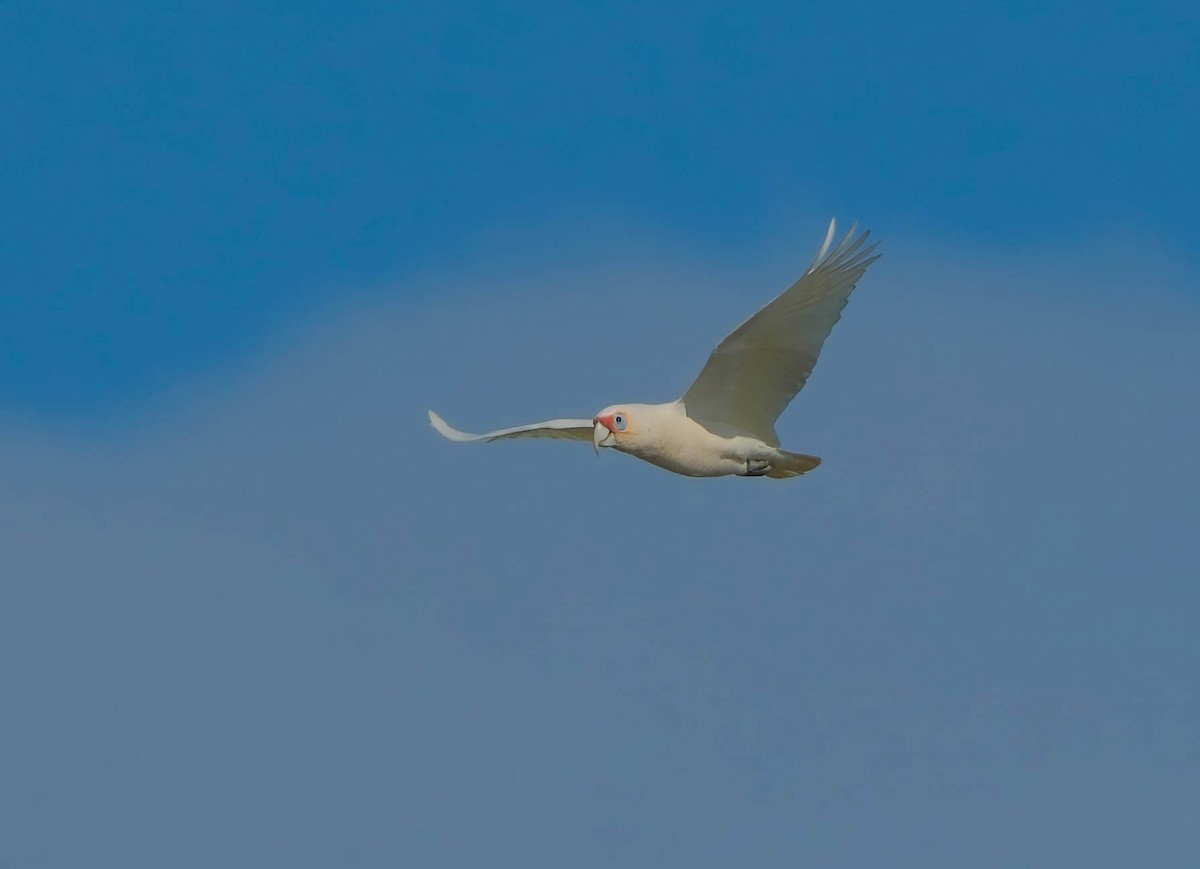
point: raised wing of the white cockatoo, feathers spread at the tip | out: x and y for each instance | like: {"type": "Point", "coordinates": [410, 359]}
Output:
{"type": "Point", "coordinates": [759, 369]}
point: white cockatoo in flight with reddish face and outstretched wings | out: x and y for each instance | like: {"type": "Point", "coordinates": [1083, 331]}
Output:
{"type": "Point", "coordinates": [725, 424]}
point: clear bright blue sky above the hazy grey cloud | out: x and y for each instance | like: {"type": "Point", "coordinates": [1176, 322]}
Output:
{"type": "Point", "coordinates": [179, 182]}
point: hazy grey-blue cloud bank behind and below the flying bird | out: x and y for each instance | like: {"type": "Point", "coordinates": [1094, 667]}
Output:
{"type": "Point", "coordinates": [279, 621]}
